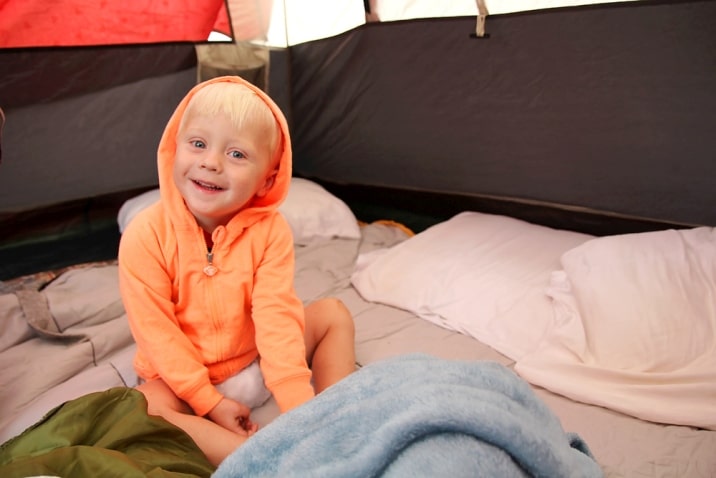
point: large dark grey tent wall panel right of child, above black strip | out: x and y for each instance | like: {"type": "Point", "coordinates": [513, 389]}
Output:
{"type": "Point", "coordinates": [609, 108]}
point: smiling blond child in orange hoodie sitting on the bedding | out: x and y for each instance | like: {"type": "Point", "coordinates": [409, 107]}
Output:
{"type": "Point", "coordinates": [206, 274]}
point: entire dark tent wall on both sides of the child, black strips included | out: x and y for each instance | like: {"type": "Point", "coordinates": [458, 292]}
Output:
{"type": "Point", "coordinates": [600, 113]}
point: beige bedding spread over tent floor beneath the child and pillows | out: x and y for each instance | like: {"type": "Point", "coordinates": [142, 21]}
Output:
{"type": "Point", "coordinates": [87, 347]}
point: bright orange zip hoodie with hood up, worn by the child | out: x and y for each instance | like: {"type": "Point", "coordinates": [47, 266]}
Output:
{"type": "Point", "coordinates": [193, 330]}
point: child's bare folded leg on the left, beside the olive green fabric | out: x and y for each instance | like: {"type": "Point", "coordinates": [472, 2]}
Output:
{"type": "Point", "coordinates": [214, 440]}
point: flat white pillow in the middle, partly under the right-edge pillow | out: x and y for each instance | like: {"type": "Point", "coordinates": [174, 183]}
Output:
{"type": "Point", "coordinates": [479, 274]}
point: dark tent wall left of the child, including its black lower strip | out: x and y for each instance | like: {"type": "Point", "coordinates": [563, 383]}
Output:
{"type": "Point", "coordinates": [80, 137]}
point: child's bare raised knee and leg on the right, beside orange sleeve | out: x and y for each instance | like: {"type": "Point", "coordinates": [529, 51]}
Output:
{"type": "Point", "coordinates": [330, 342]}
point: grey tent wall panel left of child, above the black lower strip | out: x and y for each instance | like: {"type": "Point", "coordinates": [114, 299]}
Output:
{"type": "Point", "coordinates": [84, 122]}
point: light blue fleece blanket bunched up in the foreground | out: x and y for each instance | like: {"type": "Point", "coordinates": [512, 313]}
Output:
{"type": "Point", "coordinates": [417, 415]}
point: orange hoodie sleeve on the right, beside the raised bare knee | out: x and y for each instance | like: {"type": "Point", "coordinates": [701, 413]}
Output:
{"type": "Point", "coordinates": [278, 318]}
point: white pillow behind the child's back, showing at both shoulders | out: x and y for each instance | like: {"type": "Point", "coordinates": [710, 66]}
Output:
{"type": "Point", "coordinates": [311, 211]}
